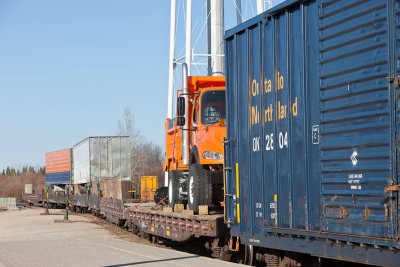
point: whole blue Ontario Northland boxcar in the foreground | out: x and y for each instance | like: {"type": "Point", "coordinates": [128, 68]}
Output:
{"type": "Point", "coordinates": [312, 113]}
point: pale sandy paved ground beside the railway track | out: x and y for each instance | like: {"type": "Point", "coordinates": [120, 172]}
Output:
{"type": "Point", "coordinates": [29, 239]}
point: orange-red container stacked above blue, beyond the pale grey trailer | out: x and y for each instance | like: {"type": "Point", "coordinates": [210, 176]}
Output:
{"type": "Point", "coordinates": [58, 161]}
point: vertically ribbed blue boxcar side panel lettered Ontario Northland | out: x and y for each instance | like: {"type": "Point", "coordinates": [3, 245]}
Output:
{"type": "Point", "coordinates": [271, 78]}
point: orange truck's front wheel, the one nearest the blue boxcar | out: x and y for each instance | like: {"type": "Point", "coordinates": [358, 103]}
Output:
{"type": "Point", "coordinates": [199, 188]}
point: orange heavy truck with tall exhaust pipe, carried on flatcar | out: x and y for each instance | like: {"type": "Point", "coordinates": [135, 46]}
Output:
{"type": "Point", "coordinates": [194, 142]}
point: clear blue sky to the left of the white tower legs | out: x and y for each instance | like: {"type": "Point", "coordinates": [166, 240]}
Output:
{"type": "Point", "coordinates": [68, 69]}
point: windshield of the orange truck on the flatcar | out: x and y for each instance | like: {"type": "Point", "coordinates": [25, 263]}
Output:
{"type": "Point", "coordinates": [213, 107]}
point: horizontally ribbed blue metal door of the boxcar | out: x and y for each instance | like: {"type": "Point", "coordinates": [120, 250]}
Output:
{"type": "Point", "coordinates": [356, 118]}
